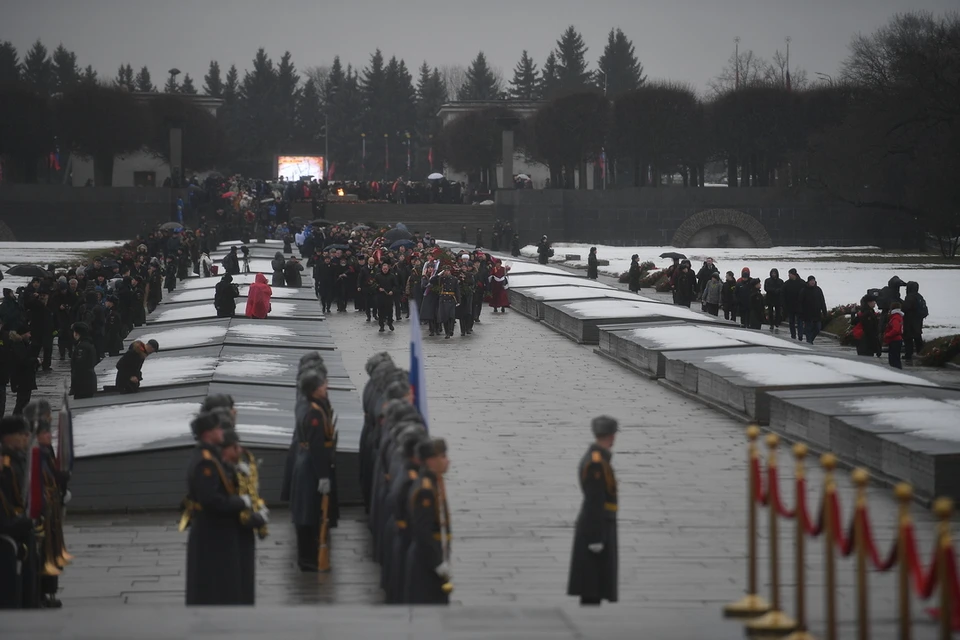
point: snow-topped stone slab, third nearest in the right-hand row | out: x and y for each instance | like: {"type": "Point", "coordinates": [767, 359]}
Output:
{"type": "Point", "coordinates": [641, 345]}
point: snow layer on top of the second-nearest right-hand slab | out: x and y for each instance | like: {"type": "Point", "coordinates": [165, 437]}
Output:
{"type": "Point", "coordinates": [773, 369]}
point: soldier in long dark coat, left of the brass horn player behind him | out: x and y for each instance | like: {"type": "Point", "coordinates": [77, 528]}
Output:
{"type": "Point", "coordinates": [213, 548]}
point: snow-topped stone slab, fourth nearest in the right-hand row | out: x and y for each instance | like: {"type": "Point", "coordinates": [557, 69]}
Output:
{"type": "Point", "coordinates": [581, 320]}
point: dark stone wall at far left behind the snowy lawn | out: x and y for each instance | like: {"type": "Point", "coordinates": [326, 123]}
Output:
{"type": "Point", "coordinates": [60, 213]}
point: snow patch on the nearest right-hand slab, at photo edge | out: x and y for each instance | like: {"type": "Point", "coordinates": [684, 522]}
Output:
{"type": "Point", "coordinates": [941, 418]}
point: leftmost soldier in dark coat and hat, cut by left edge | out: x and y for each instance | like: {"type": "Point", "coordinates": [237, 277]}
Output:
{"type": "Point", "coordinates": [19, 571]}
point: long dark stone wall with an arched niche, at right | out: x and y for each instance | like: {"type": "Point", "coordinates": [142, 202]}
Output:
{"type": "Point", "coordinates": [676, 216]}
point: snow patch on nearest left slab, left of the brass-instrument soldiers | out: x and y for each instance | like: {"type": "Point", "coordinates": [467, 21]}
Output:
{"type": "Point", "coordinates": [131, 427]}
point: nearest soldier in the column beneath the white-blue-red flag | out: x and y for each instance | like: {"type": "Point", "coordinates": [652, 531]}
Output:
{"type": "Point", "coordinates": [427, 567]}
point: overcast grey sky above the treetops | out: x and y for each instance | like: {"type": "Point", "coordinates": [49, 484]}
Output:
{"type": "Point", "coordinates": [687, 40]}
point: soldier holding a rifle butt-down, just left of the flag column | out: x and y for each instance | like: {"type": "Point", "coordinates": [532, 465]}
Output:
{"type": "Point", "coordinates": [311, 476]}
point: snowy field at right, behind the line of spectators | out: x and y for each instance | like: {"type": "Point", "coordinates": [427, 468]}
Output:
{"type": "Point", "coordinates": [842, 281]}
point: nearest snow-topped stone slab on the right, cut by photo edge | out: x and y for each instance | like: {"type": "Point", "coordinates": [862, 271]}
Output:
{"type": "Point", "coordinates": [903, 433]}
